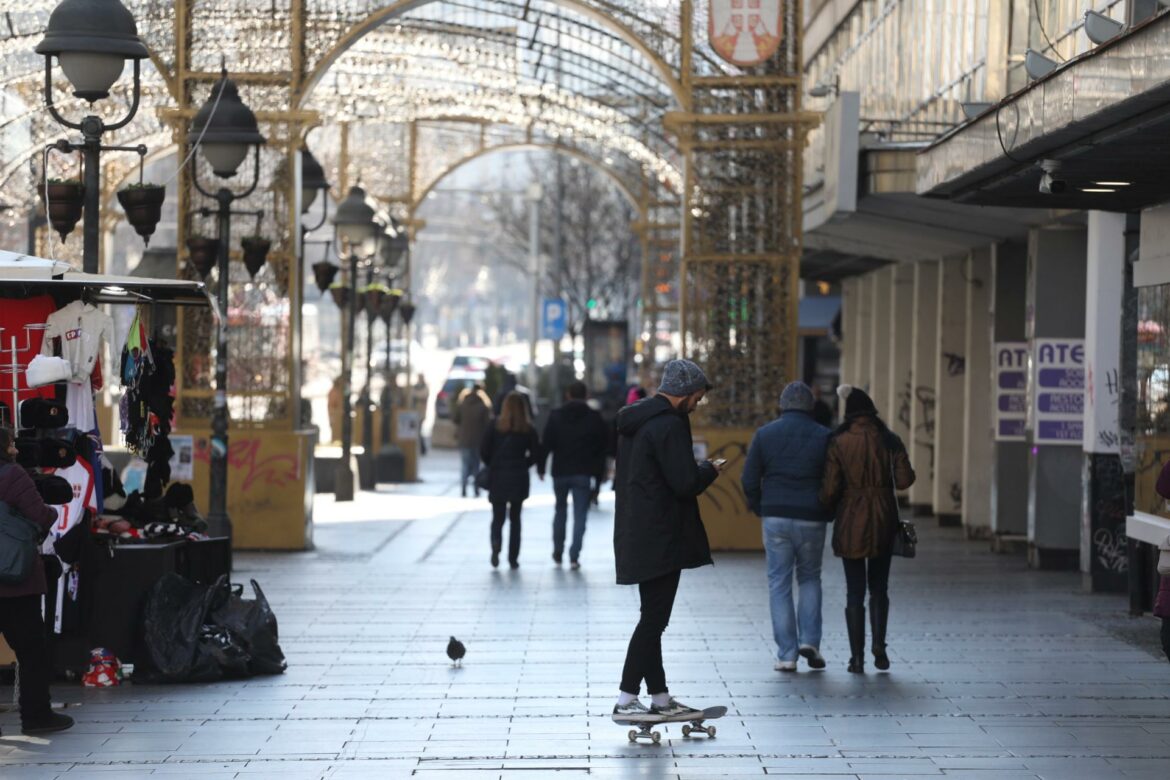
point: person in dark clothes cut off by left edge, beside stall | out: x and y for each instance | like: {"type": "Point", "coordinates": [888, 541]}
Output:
{"type": "Point", "coordinates": [20, 605]}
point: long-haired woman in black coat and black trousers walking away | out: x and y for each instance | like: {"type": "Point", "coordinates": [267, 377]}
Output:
{"type": "Point", "coordinates": [510, 450]}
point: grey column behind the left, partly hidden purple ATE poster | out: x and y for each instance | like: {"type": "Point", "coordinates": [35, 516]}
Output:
{"type": "Point", "coordinates": [1009, 475]}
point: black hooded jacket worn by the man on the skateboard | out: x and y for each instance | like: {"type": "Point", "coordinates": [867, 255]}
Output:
{"type": "Point", "coordinates": [657, 529]}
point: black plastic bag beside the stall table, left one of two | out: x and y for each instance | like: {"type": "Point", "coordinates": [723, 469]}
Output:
{"type": "Point", "coordinates": [174, 620]}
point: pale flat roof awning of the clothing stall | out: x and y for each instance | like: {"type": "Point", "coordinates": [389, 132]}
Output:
{"type": "Point", "coordinates": [30, 271]}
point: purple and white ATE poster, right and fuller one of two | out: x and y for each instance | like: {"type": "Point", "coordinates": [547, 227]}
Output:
{"type": "Point", "coordinates": [1058, 405]}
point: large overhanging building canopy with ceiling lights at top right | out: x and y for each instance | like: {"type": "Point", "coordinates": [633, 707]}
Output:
{"type": "Point", "coordinates": [1104, 116]}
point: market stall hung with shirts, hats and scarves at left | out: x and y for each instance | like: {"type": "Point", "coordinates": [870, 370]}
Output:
{"type": "Point", "coordinates": [65, 336]}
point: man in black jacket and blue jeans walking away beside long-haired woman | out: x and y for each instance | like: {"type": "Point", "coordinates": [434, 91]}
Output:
{"type": "Point", "coordinates": [577, 438]}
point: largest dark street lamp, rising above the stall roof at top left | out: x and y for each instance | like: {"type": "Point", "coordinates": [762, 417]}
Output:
{"type": "Point", "coordinates": [92, 42]}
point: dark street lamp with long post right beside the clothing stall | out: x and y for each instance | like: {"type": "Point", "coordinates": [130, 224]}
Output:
{"type": "Point", "coordinates": [226, 132]}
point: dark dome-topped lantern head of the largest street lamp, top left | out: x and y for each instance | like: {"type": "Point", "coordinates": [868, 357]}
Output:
{"type": "Point", "coordinates": [92, 40]}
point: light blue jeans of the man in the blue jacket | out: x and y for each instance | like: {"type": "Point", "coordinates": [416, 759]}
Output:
{"type": "Point", "coordinates": [796, 546]}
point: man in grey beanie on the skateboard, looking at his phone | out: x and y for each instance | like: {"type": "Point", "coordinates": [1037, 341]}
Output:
{"type": "Point", "coordinates": [657, 530]}
